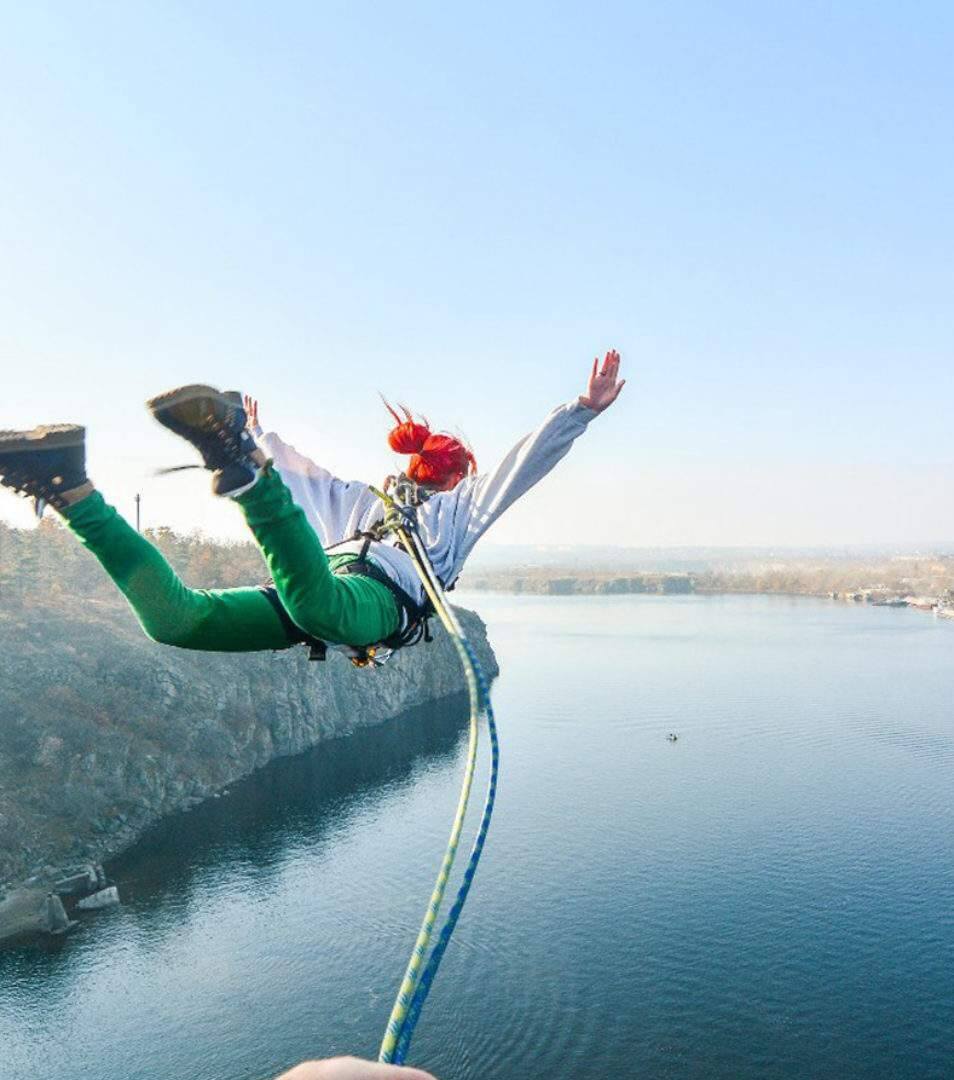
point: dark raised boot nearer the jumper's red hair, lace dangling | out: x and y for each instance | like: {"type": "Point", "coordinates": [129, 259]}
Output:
{"type": "Point", "coordinates": [214, 423]}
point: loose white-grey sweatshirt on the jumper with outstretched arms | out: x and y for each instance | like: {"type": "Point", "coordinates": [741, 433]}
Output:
{"type": "Point", "coordinates": [450, 523]}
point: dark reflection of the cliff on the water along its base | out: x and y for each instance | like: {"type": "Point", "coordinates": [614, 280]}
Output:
{"type": "Point", "coordinates": [264, 821]}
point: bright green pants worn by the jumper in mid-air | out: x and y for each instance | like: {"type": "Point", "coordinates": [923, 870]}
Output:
{"type": "Point", "coordinates": [351, 610]}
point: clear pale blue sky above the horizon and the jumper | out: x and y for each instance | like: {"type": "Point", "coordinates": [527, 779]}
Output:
{"type": "Point", "coordinates": [313, 202]}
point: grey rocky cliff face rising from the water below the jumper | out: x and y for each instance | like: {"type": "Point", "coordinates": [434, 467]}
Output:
{"type": "Point", "coordinates": [103, 733]}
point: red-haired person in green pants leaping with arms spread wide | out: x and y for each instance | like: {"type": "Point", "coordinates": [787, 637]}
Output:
{"type": "Point", "coordinates": [334, 582]}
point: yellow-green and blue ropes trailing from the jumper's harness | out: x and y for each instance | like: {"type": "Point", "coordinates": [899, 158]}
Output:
{"type": "Point", "coordinates": [419, 978]}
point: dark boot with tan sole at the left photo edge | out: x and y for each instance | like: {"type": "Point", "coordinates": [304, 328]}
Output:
{"type": "Point", "coordinates": [45, 463]}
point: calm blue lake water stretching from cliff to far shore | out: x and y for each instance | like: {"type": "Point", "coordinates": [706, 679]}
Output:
{"type": "Point", "coordinates": [772, 896]}
